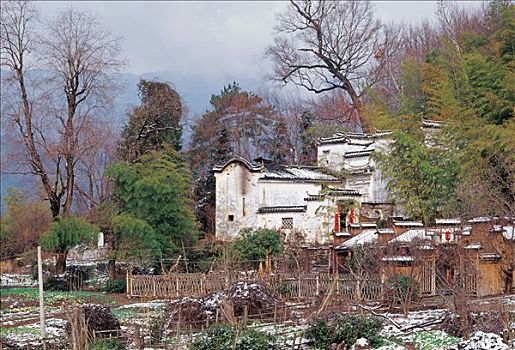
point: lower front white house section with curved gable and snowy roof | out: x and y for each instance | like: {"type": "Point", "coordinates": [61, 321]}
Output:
{"type": "Point", "coordinates": [288, 197]}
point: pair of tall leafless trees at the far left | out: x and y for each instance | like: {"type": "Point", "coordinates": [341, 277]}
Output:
{"type": "Point", "coordinates": [76, 55]}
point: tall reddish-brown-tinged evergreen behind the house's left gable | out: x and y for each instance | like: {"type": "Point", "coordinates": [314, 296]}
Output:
{"type": "Point", "coordinates": [239, 124]}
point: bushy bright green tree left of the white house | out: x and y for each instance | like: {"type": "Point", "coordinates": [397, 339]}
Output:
{"type": "Point", "coordinates": [154, 200]}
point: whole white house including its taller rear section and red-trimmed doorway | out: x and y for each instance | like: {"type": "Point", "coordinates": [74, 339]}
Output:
{"type": "Point", "coordinates": [305, 198]}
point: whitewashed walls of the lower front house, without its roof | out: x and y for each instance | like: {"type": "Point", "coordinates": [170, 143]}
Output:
{"type": "Point", "coordinates": [236, 182]}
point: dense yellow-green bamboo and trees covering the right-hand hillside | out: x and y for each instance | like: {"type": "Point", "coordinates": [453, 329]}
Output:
{"type": "Point", "coordinates": [465, 80]}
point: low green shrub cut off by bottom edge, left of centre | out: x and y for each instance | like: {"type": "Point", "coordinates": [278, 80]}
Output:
{"type": "Point", "coordinates": [227, 337]}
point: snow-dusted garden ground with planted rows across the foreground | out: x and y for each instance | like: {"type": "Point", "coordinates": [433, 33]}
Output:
{"type": "Point", "coordinates": [20, 325]}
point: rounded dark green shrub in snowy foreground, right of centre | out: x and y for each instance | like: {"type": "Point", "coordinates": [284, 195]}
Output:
{"type": "Point", "coordinates": [345, 328]}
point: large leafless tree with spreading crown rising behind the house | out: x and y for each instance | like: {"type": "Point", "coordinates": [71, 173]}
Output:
{"type": "Point", "coordinates": [327, 45]}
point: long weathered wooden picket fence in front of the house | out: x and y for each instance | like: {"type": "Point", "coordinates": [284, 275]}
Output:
{"type": "Point", "coordinates": [299, 286]}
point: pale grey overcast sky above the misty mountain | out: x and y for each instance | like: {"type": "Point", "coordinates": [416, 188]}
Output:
{"type": "Point", "coordinates": [212, 39]}
